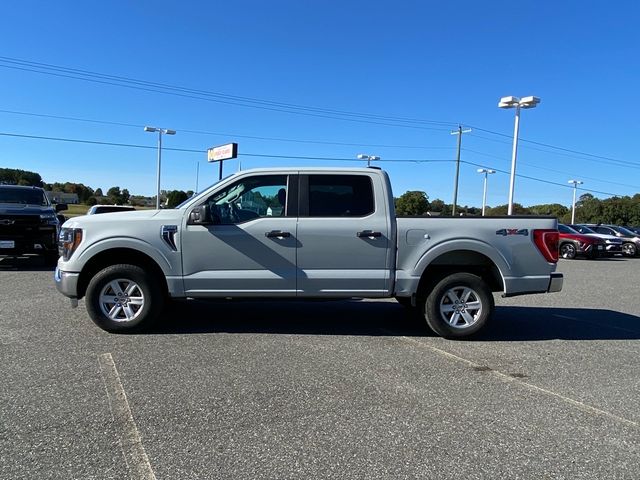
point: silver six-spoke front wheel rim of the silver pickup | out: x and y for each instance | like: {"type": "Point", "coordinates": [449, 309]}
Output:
{"type": "Point", "coordinates": [122, 300]}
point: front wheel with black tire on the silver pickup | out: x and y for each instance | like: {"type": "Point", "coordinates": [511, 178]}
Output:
{"type": "Point", "coordinates": [136, 286]}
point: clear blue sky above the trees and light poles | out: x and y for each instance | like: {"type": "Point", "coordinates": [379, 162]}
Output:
{"type": "Point", "coordinates": [443, 62]}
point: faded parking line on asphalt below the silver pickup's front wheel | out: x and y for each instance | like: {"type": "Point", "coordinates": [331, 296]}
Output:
{"type": "Point", "coordinates": [130, 442]}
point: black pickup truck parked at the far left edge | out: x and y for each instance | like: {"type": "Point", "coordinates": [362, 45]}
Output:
{"type": "Point", "coordinates": [28, 222]}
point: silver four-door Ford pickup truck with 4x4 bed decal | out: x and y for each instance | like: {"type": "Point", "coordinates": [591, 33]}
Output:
{"type": "Point", "coordinates": [303, 233]}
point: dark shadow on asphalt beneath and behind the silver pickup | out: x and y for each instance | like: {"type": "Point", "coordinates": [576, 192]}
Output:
{"type": "Point", "coordinates": [387, 318]}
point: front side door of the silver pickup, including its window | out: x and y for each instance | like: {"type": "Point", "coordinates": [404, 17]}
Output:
{"type": "Point", "coordinates": [249, 249]}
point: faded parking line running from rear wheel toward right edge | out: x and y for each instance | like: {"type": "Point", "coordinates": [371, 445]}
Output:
{"type": "Point", "coordinates": [508, 378]}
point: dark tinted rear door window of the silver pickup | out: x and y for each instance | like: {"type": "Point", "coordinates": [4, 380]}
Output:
{"type": "Point", "coordinates": [340, 196]}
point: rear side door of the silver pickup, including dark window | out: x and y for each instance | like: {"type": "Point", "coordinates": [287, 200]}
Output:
{"type": "Point", "coordinates": [344, 236]}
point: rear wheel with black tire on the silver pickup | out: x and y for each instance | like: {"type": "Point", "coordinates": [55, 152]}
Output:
{"type": "Point", "coordinates": [459, 285]}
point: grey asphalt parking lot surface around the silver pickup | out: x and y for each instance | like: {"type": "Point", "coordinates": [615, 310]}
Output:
{"type": "Point", "coordinates": [352, 389]}
